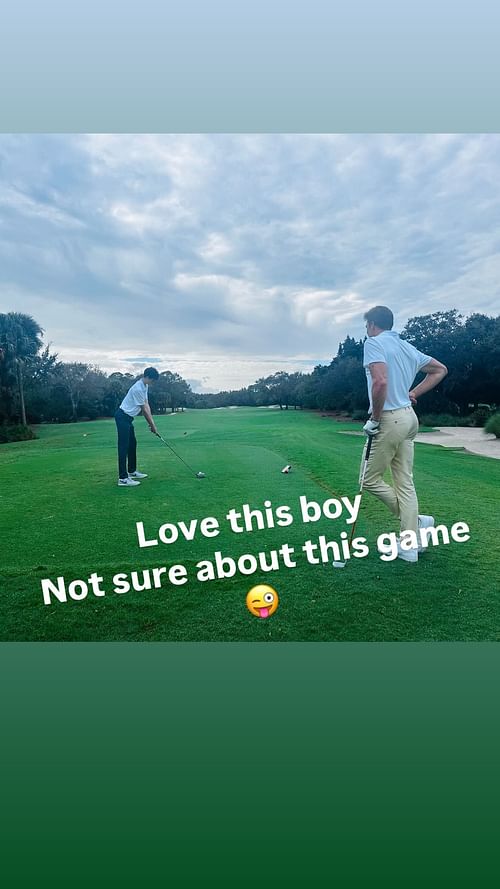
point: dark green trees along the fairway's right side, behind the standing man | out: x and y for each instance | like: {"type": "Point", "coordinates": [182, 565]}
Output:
{"type": "Point", "coordinates": [470, 348]}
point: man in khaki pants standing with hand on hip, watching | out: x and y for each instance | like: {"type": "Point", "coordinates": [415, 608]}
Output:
{"type": "Point", "coordinates": [391, 366]}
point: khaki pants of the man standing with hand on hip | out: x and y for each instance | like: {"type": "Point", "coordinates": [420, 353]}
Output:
{"type": "Point", "coordinates": [393, 447]}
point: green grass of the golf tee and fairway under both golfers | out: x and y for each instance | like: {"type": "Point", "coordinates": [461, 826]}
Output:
{"type": "Point", "coordinates": [61, 513]}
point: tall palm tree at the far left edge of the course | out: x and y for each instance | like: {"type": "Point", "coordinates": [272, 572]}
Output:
{"type": "Point", "coordinates": [20, 341]}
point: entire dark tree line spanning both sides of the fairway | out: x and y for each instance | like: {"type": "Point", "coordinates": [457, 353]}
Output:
{"type": "Point", "coordinates": [36, 387]}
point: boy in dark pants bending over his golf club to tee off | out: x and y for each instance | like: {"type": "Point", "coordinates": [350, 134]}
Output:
{"type": "Point", "coordinates": [135, 401]}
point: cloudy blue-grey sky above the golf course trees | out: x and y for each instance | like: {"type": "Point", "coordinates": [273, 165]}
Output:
{"type": "Point", "coordinates": [227, 257]}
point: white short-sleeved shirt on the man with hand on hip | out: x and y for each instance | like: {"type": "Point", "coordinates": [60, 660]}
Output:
{"type": "Point", "coordinates": [403, 363]}
